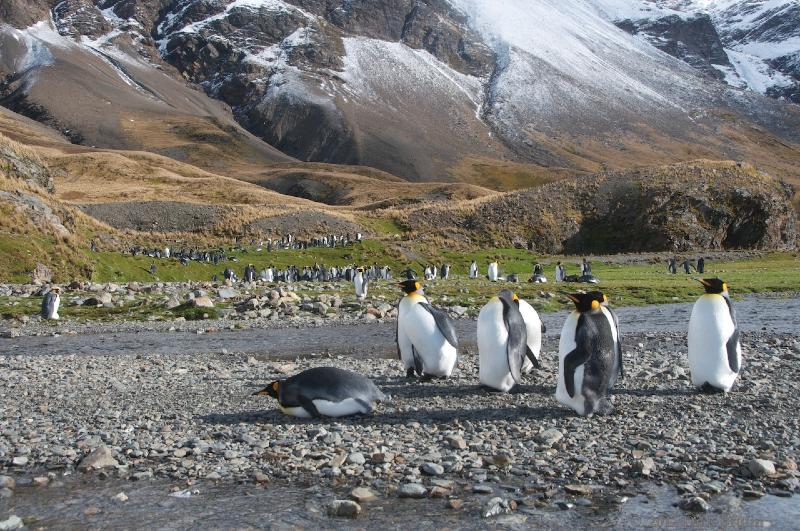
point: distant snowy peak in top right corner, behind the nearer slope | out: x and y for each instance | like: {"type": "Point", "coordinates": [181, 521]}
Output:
{"type": "Point", "coordinates": [752, 44]}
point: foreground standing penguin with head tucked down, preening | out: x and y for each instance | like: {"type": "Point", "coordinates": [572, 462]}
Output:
{"type": "Point", "coordinates": [502, 342]}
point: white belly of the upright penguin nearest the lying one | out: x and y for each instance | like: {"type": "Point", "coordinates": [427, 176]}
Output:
{"type": "Point", "coordinates": [418, 325]}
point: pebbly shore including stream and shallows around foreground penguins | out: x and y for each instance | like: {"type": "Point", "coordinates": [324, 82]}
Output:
{"type": "Point", "coordinates": [151, 411]}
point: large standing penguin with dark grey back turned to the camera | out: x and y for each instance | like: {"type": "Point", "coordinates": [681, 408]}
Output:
{"type": "Point", "coordinates": [590, 355]}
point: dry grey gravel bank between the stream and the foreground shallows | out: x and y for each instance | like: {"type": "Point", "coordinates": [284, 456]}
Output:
{"type": "Point", "coordinates": [190, 417]}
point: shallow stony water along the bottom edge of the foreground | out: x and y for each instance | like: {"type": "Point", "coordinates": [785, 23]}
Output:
{"type": "Point", "coordinates": [90, 503]}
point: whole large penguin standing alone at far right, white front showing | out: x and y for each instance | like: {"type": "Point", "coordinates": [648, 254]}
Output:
{"type": "Point", "coordinates": [715, 353]}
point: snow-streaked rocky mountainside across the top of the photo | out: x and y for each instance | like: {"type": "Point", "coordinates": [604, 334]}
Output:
{"type": "Point", "coordinates": [417, 87]}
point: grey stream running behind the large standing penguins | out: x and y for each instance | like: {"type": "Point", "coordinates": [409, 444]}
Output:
{"type": "Point", "coordinates": [376, 339]}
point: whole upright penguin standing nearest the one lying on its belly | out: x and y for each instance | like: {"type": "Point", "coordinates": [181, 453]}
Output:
{"type": "Point", "coordinates": [426, 339]}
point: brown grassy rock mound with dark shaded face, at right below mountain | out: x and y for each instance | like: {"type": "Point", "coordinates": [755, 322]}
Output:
{"type": "Point", "coordinates": [711, 206]}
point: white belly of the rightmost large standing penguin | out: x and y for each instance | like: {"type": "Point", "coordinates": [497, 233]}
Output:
{"type": "Point", "coordinates": [710, 327]}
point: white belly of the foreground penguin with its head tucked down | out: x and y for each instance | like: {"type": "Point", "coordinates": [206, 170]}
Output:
{"type": "Point", "coordinates": [493, 348]}
